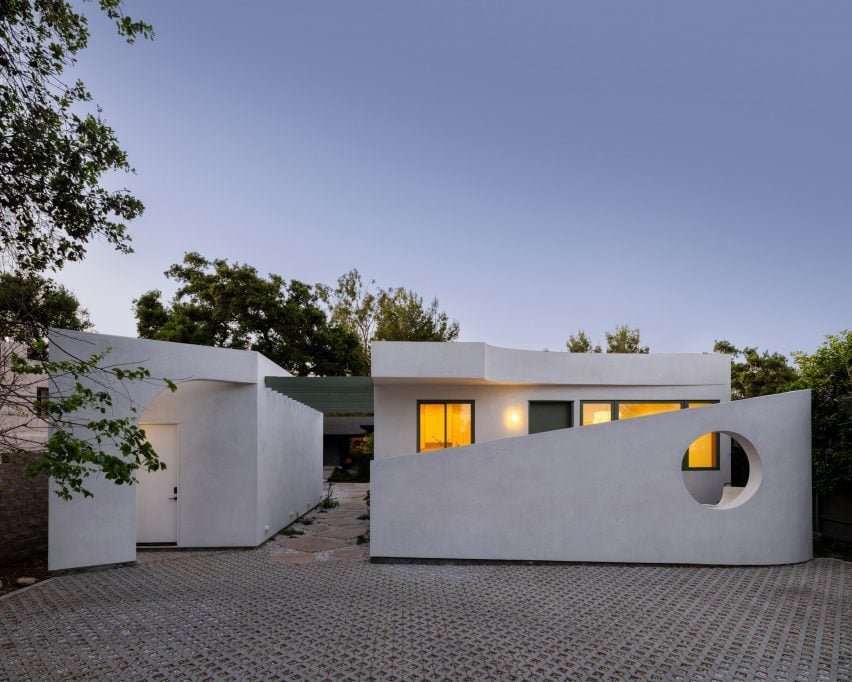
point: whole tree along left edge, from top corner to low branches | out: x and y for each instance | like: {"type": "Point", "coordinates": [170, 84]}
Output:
{"type": "Point", "coordinates": [55, 150]}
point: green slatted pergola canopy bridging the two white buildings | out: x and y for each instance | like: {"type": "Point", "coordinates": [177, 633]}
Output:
{"type": "Point", "coordinates": [329, 395]}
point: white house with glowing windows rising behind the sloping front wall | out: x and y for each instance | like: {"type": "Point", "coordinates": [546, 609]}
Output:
{"type": "Point", "coordinates": [489, 393]}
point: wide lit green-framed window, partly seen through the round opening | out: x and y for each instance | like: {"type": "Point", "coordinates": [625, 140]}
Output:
{"type": "Point", "coordinates": [701, 454]}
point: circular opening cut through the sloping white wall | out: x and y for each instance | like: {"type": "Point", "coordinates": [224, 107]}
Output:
{"type": "Point", "coordinates": [721, 469]}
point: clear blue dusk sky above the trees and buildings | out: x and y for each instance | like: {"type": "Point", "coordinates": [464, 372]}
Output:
{"type": "Point", "coordinates": [685, 168]}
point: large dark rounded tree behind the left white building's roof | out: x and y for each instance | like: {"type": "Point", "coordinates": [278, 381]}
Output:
{"type": "Point", "coordinates": [232, 306]}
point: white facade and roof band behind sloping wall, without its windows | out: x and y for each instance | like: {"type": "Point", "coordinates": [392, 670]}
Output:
{"type": "Point", "coordinates": [502, 381]}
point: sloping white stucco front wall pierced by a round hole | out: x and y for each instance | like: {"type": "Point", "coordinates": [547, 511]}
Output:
{"type": "Point", "coordinates": [609, 493]}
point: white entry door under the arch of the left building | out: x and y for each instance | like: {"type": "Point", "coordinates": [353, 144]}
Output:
{"type": "Point", "coordinates": [156, 492]}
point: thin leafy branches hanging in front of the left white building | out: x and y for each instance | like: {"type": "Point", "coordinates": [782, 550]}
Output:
{"type": "Point", "coordinates": [80, 403]}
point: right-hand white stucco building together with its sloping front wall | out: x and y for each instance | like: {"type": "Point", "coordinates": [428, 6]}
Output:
{"type": "Point", "coordinates": [491, 453]}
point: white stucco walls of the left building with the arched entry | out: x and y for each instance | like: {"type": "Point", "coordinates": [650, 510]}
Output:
{"type": "Point", "coordinates": [227, 476]}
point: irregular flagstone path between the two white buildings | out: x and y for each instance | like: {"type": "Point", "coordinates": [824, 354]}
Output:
{"type": "Point", "coordinates": [331, 535]}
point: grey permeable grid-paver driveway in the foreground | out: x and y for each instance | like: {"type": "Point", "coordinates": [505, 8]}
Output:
{"type": "Point", "coordinates": [242, 615]}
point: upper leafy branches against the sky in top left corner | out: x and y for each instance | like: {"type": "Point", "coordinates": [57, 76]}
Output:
{"type": "Point", "coordinates": [53, 152]}
